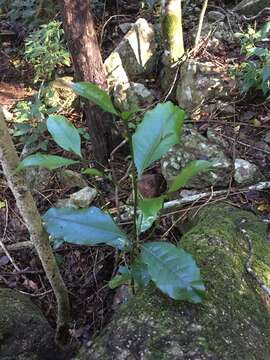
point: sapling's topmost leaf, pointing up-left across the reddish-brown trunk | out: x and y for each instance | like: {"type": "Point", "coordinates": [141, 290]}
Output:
{"type": "Point", "coordinates": [96, 95]}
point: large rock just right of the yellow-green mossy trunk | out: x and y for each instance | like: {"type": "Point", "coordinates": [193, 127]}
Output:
{"type": "Point", "coordinates": [201, 82]}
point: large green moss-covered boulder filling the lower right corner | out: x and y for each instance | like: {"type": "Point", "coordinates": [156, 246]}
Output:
{"type": "Point", "coordinates": [233, 322]}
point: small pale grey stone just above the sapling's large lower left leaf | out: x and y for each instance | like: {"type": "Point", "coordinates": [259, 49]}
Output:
{"type": "Point", "coordinates": [79, 199]}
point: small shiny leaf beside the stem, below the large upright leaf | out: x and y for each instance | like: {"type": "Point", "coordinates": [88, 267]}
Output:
{"type": "Point", "coordinates": [150, 208]}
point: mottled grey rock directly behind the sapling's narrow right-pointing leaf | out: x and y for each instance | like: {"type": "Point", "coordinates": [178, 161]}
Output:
{"type": "Point", "coordinates": [194, 146]}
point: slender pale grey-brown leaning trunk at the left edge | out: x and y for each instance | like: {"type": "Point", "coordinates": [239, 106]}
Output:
{"type": "Point", "coordinates": [30, 214]}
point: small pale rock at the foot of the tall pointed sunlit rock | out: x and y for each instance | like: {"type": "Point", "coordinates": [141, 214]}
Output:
{"type": "Point", "coordinates": [131, 95]}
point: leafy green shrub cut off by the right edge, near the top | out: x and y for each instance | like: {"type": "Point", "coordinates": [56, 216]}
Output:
{"type": "Point", "coordinates": [254, 72]}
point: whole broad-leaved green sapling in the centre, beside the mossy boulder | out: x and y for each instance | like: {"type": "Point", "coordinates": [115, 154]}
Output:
{"type": "Point", "coordinates": [169, 267]}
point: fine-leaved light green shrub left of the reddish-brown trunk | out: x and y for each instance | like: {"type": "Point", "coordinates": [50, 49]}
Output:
{"type": "Point", "coordinates": [45, 49]}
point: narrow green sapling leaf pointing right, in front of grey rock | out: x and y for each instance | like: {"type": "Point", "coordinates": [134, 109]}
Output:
{"type": "Point", "coordinates": [193, 168]}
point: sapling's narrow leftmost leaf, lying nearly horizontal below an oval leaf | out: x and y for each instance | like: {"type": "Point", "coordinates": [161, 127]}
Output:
{"type": "Point", "coordinates": [49, 162]}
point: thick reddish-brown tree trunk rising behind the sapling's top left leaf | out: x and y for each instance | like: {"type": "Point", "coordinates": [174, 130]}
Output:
{"type": "Point", "coordinates": [83, 45]}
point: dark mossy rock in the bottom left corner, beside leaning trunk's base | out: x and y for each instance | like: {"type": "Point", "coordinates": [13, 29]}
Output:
{"type": "Point", "coordinates": [24, 332]}
